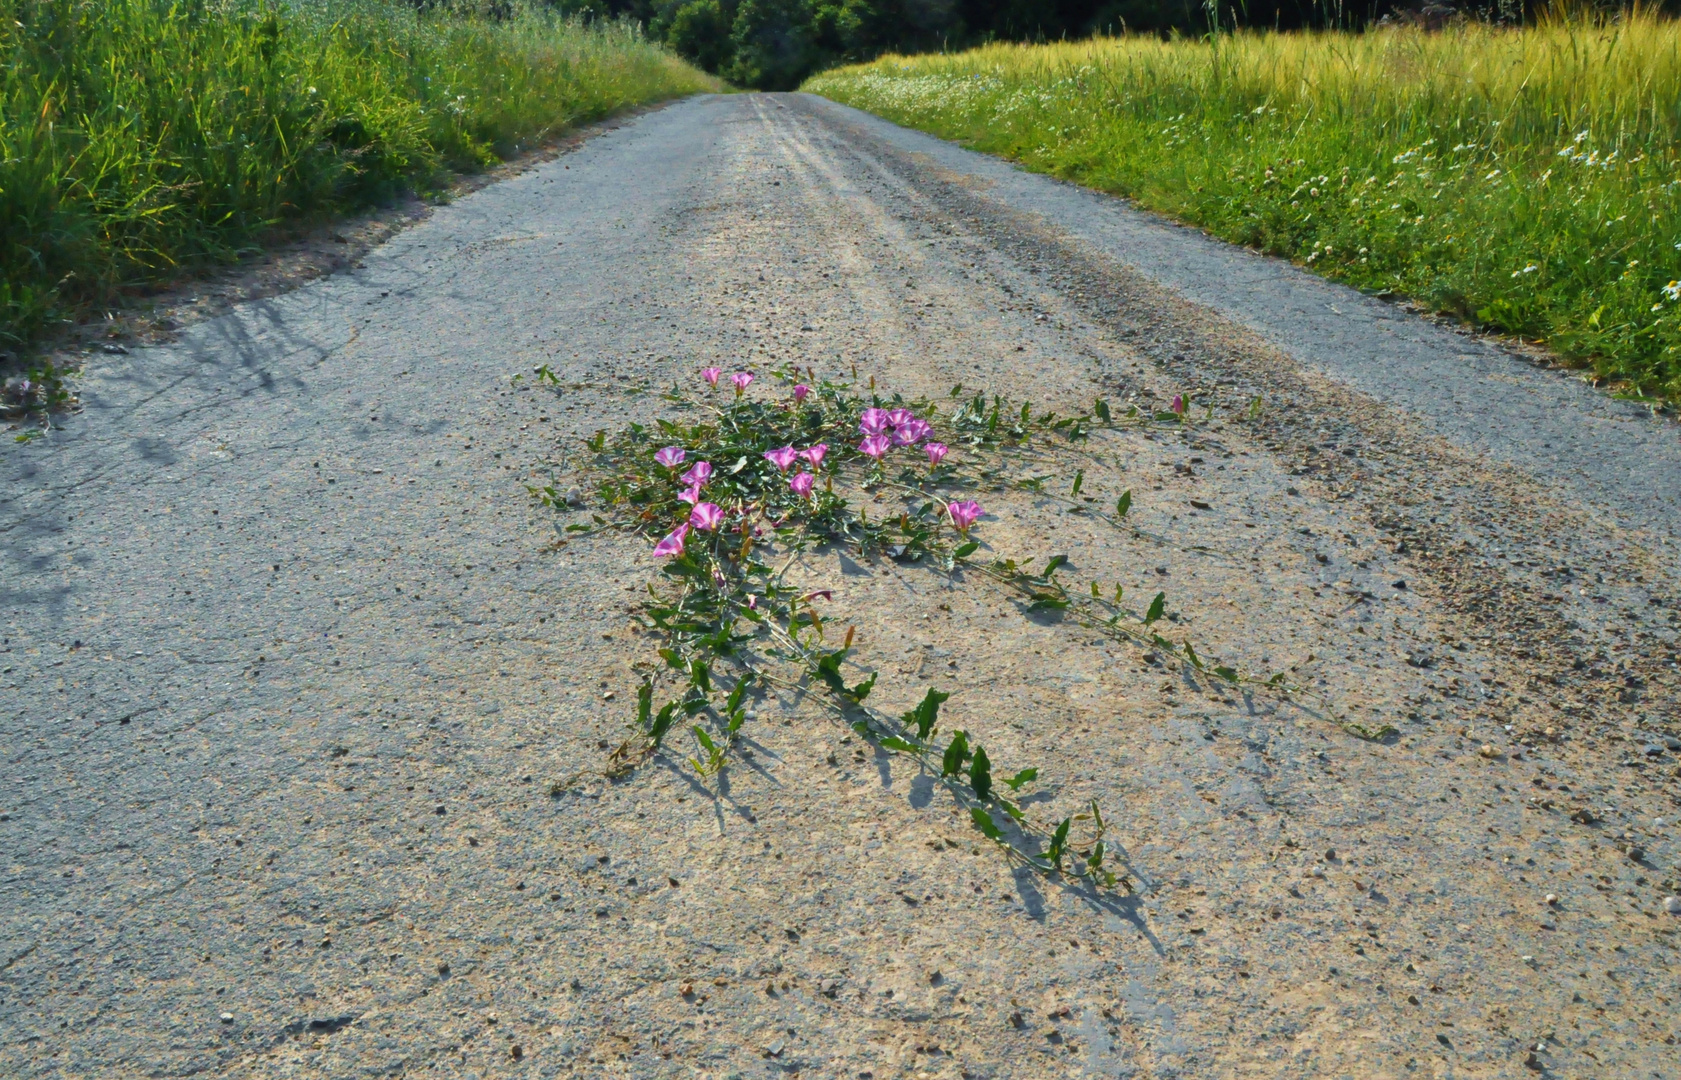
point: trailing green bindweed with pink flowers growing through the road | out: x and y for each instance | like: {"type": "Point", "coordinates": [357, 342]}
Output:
{"type": "Point", "coordinates": [735, 495]}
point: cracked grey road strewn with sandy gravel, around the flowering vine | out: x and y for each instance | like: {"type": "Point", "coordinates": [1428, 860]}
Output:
{"type": "Point", "coordinates": [290, 662]}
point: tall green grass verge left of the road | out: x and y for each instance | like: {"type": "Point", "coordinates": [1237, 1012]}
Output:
{"type": "Point", "coordinates": [144, 137]}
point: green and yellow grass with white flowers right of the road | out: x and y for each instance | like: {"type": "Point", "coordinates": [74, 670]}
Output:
{"type": "Point", "coordinates": [1526, 179]}
